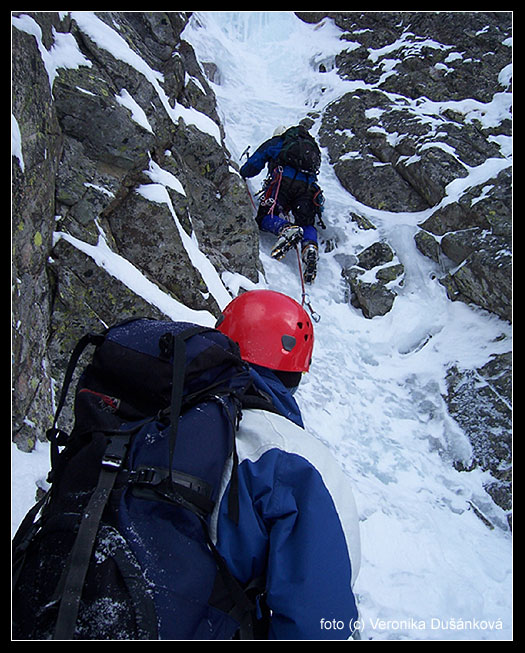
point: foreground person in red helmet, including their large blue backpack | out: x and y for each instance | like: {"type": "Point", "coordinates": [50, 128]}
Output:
{"type": "Point", "coordinates": [256, 535]}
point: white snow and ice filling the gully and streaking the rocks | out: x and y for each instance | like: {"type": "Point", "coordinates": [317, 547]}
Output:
{"type": "Point", "coordinates": [431, 569]}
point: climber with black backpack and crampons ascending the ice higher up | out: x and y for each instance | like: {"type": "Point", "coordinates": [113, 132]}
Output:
{"type": "Point", "coordinates": [293, 159]}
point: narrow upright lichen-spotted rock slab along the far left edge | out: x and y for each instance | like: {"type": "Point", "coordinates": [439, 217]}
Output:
{"type": "Point", "coordinates": [32, 227]}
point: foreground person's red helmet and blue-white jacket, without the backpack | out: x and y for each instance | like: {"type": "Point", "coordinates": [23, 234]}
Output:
{"type": "Point", "coordinates": [298, 528]}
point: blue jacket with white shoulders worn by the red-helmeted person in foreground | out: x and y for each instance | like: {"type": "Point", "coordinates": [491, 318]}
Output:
{"type": "Point", "coordinates": [298, 525]}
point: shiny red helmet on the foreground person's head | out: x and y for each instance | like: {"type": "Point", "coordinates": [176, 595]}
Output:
{"type": "Point", "coordinates": [271, 329]}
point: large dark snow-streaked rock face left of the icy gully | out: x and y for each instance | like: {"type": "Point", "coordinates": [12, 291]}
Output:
{"type": "Point", "coordinates": [93, 133]}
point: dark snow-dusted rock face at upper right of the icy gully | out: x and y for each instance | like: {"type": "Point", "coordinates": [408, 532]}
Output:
{"type": "Point", "coordinates": [391, 155]}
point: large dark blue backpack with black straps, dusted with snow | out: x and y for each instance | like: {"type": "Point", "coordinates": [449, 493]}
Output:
{"type": "Point", "coordinates": [119, 548]}
